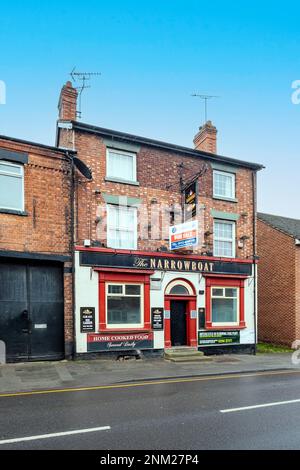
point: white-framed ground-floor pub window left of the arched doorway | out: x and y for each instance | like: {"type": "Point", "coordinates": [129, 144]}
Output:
{"type": "Point", "coordinates": [124, 305]}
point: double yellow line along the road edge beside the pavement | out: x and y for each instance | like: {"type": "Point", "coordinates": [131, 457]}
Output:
{"type": "Point", "coordinates": [150, 382]}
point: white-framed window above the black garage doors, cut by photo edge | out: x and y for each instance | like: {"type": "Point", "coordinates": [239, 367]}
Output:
{"type": "Point", "coordinates": [11, 186]}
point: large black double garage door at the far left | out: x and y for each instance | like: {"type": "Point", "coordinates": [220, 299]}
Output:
{"type": "Point", "coordinates": [32, 311]}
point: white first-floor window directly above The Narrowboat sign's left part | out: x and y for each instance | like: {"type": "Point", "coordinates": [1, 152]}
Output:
{"type": "Point", "coordinates": [121, 227]}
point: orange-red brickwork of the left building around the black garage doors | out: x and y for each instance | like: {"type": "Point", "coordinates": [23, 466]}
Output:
{"type": "Point", "coordinates": [47, 226]}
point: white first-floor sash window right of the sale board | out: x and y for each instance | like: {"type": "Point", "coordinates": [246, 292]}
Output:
{"type": "Point", "coordinates": [224, 238]}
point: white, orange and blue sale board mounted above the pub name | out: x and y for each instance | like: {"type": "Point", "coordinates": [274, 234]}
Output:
{"type": "Point", "coordinates": [184, 235]}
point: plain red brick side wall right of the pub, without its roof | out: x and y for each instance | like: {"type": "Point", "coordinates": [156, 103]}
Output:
{"type": "Point", "coordinates": [276, 286]}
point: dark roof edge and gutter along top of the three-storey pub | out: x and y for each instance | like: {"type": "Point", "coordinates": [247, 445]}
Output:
{"type": "Point", "coordinates": [79, 126]}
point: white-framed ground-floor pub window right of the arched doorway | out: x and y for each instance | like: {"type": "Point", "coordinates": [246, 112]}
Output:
{"type": "Point", "coordinates": [225, 306]}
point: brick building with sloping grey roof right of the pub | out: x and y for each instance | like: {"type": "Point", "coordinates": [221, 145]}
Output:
{"type": "Point", "coordinates": [278, 245]}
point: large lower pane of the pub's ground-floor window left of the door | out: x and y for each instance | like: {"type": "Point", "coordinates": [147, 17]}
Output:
{"type": "Point", "coordinates": [125, 310]}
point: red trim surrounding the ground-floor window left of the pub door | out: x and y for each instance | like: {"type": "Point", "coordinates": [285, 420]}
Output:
{"type": "Point", "coordinates": [108, 276]}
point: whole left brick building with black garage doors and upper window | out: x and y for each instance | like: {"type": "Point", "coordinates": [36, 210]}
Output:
{"type": "Point", "coordinates": [35, 251]}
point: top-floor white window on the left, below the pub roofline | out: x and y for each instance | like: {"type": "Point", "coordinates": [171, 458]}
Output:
{"type": "Point", "coordinates": [121, 165]}
